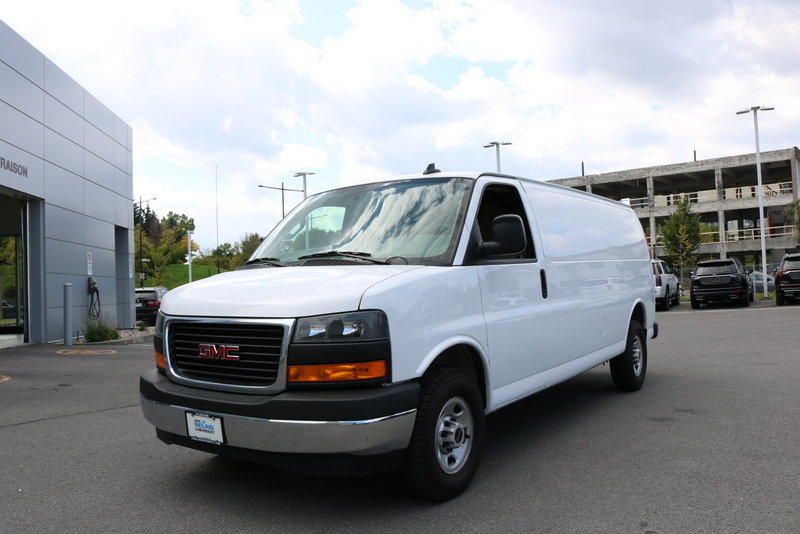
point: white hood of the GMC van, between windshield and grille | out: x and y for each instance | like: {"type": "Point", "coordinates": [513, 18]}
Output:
{"type": "Point", "coordinates": [279, 292]}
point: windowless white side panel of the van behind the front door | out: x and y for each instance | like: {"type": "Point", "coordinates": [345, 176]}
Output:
{"type": "Point", "coordinates": [597, 266]}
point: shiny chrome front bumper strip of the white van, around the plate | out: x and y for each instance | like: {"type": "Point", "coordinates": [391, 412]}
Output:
{"type": "Point", "coordinates": [360, 437]}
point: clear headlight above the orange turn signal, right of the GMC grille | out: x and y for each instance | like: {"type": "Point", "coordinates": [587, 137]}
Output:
{"type": "Point", "coordinates": [342, 327]}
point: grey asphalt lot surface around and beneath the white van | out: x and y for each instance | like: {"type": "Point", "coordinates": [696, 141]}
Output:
{"type": "Point", "coordinates": [710, 444]}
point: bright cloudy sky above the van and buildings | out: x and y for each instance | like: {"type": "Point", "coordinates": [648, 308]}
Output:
{"type": "Point", "coordinates": [224, 95]}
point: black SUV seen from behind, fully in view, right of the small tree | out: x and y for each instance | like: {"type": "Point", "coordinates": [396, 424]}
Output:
{"type": "Point", "coordinates": [721, 281]}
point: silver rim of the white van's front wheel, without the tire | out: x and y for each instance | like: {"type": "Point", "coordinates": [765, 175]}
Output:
{"type": "Point", "coordinates": [454, 435]}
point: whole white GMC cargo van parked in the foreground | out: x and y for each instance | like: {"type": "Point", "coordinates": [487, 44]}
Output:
{"type": "Point", "coordinates": [383, 322]}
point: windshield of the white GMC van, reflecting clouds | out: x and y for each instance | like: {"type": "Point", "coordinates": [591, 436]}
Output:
{"type": "Point", "coordinates": [417, 220]}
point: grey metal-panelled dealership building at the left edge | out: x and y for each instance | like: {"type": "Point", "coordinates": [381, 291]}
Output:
{"type": "Point", "coordinates": [66, 201]}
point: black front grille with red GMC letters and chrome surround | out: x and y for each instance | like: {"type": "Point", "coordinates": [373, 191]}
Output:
{"type": "Point", "coordinates": [259, 352]}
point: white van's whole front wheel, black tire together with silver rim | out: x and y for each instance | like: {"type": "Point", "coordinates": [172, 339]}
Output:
{"type": "Point", "coordinates": [446, 444]}
